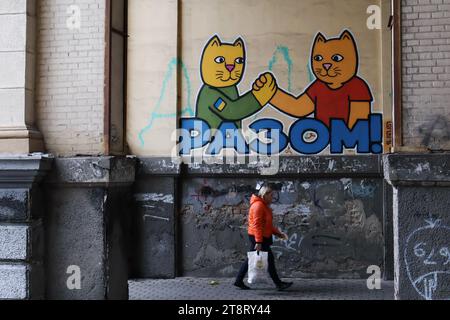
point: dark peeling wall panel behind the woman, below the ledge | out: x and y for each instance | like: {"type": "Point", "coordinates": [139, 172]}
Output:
{"type": "Point", "coordinates": [335, 226]}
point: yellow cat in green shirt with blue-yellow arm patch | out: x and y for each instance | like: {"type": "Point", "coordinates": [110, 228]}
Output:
{"type": "Point", "coordinates": [222, 69]}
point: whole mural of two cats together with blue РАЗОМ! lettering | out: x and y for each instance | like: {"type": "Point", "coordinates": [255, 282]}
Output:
{"type": "Point", "coordinates": [335, 111]}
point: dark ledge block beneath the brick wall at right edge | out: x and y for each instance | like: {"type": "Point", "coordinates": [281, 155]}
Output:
{"type": "Point", "coordinates": [424, 170]}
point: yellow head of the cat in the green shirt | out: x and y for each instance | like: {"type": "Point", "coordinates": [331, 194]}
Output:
{"type": "Point", "coordinates": [223, 64]}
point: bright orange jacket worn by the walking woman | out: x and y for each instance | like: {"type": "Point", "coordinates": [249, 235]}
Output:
{"type": "Point", "coordinates": [260, 220]}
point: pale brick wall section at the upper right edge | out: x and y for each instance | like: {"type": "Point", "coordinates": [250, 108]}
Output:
{"type": "Point", "coordinates": [426, 73]}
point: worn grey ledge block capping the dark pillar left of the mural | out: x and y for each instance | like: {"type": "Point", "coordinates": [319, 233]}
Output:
{"type": "Point", "coordinates": [93, 171]}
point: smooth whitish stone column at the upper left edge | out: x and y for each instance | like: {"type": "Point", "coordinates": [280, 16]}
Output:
{"type": "Point", "coordinates": [17, 63]}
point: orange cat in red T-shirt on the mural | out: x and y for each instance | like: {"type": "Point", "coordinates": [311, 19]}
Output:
{"type": "Point", "coordinates": [337, 93]}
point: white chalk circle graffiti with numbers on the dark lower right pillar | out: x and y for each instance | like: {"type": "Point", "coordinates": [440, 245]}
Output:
{"type": "Point", "coordinates": [427, 260]}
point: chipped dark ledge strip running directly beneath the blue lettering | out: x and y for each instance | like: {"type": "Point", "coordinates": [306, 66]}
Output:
{"type": "Point", "coordinates": [305, 166]}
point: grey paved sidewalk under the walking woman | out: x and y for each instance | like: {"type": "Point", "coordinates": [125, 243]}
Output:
{"type": "Point", "coordinates": [222, 289]}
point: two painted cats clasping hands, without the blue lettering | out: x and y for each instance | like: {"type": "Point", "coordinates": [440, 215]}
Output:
{"type": "Point", "coordinates": [337, 92]}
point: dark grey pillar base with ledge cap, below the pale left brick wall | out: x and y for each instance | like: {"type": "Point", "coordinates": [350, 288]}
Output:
{"type": "Point", "coordinates": [87, 226]}
